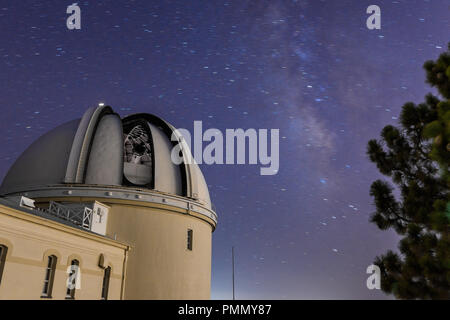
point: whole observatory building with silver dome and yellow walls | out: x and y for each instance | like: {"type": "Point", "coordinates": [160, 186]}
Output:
{"type": "Point", "coordinates": [96, 209]}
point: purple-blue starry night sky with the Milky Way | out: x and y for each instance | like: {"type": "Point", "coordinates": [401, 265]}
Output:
{"type": "Point", "coordinates": [310, 68]}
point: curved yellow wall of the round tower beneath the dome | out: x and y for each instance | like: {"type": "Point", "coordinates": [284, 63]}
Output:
{"type": "Point", "coordinates": [160, 266]}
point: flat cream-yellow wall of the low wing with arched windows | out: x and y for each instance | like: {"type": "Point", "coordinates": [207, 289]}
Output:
{"type": "Point", "coordinates": [31, 239]}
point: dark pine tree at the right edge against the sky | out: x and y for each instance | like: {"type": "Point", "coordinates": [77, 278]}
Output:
{"type": "Point", "coordinates": [416, 156]}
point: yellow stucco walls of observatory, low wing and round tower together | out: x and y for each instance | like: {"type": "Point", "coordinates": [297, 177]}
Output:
{"type": "Point", "coordinates": [159, 264]}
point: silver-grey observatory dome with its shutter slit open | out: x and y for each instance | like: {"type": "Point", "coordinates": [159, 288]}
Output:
{"type": "Point", "coordinates": [103, 149]}
